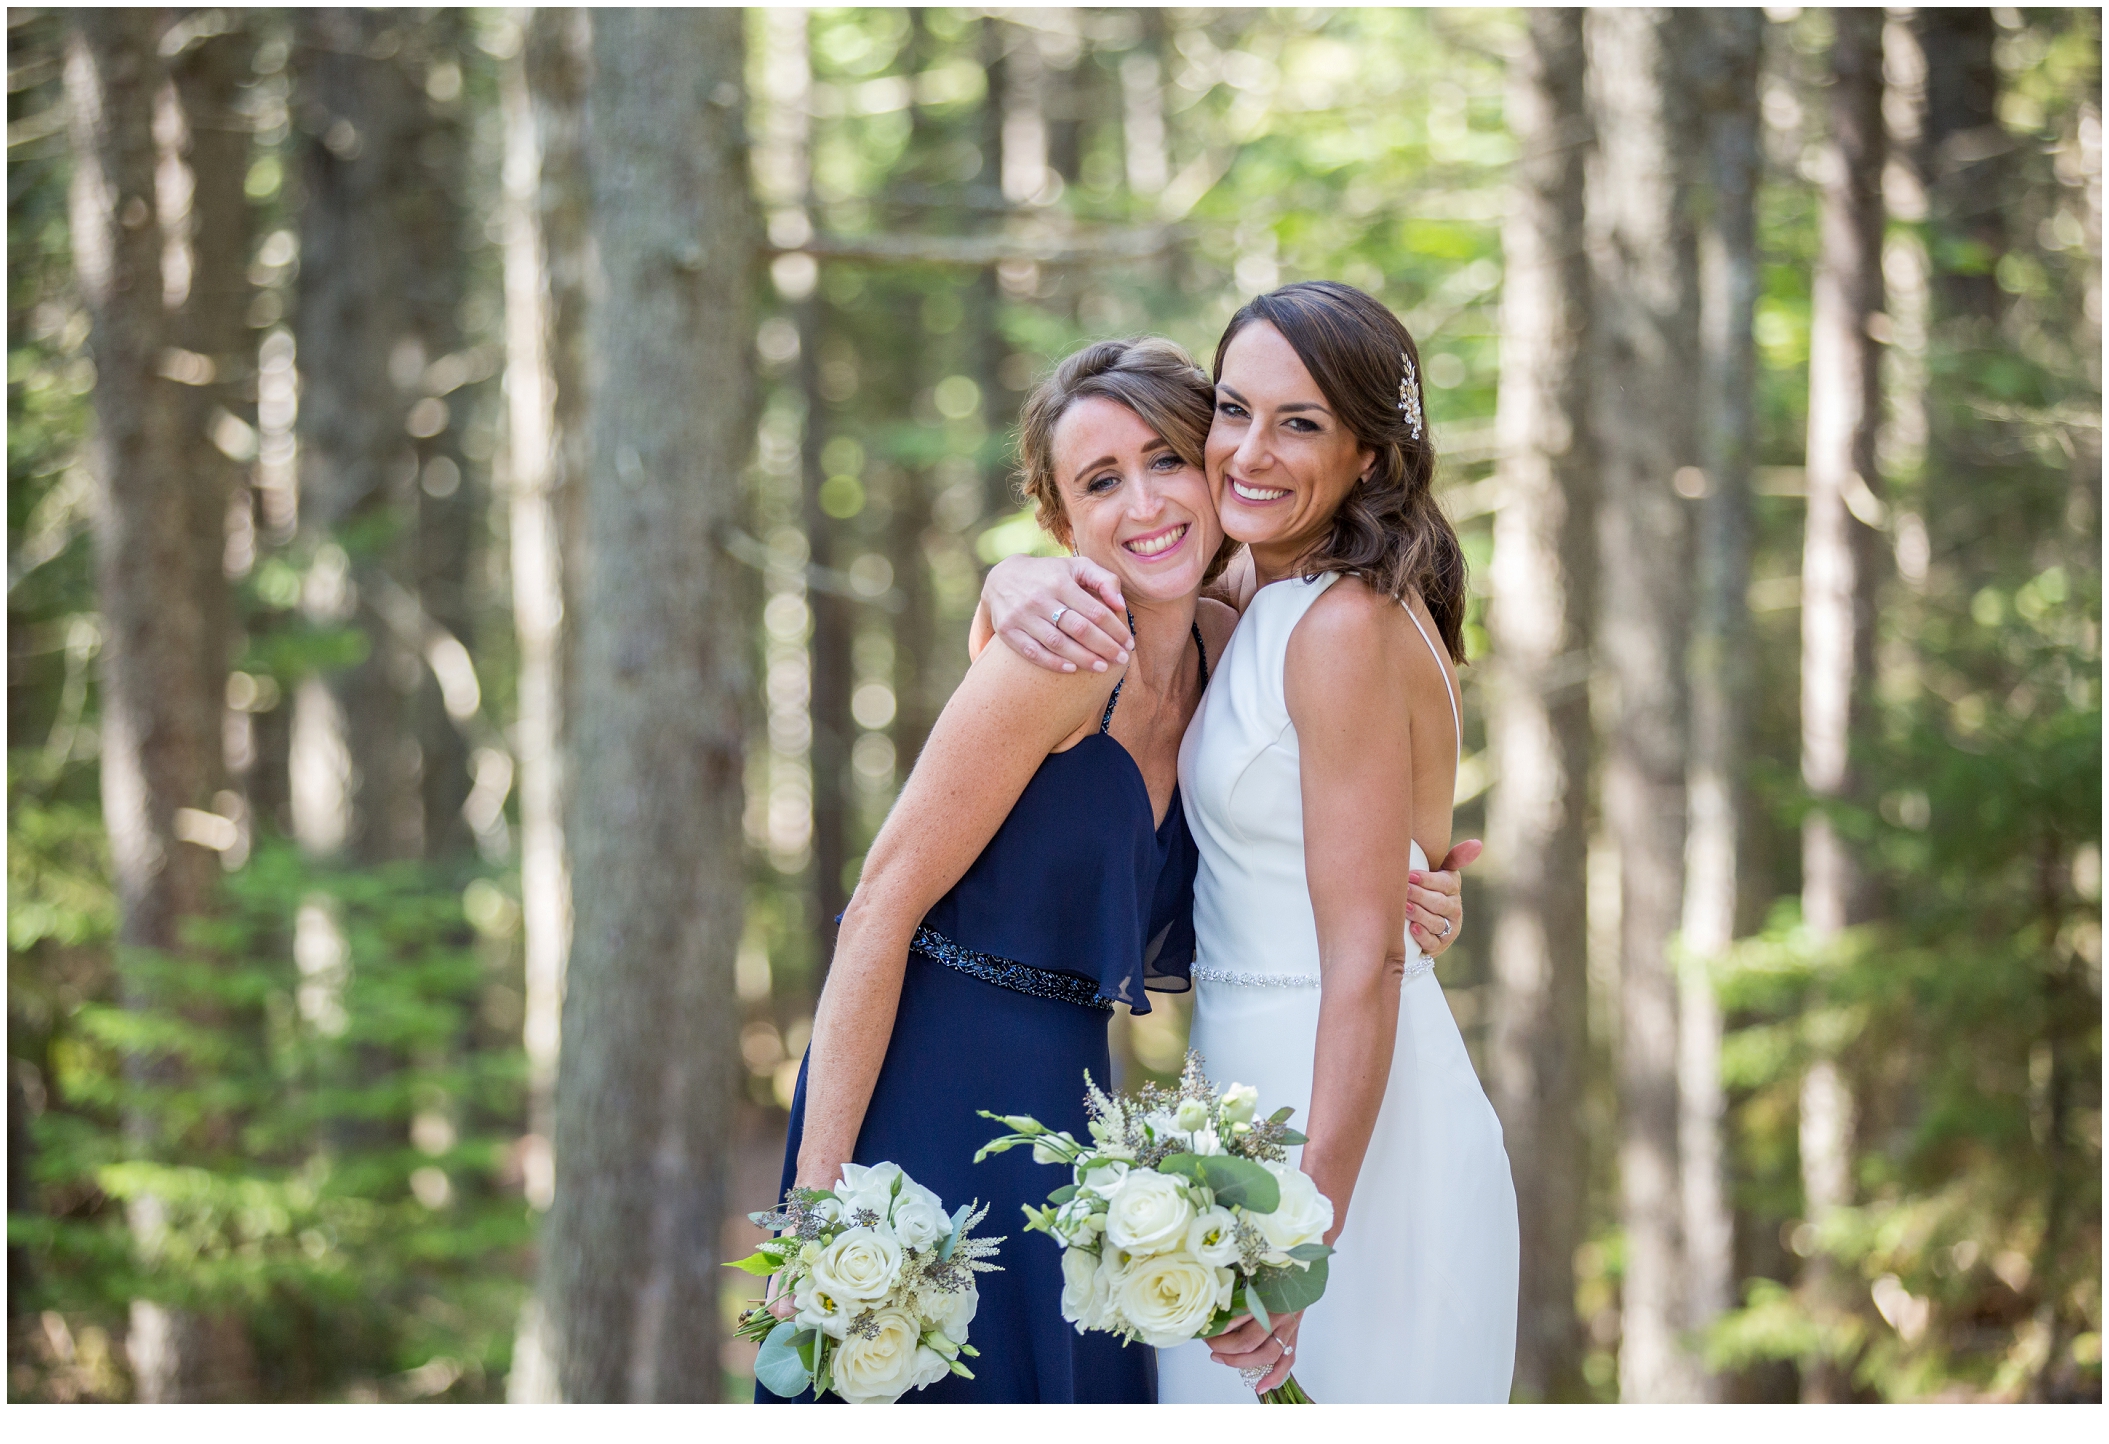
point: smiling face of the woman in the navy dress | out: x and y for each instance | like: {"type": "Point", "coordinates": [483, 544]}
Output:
{"type": "Point", "coordinates": [1131, 503]}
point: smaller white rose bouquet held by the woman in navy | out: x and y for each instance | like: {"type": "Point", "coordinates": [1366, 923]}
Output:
{"type": "Point", "coordinates": [874, 1289]}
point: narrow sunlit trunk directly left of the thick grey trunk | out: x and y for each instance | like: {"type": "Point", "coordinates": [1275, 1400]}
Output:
{"type": "Point", "coordinates": [545, 227]}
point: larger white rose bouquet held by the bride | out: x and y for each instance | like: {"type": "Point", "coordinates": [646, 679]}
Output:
{"type": "Point", "coordinates": [1180, 1215]}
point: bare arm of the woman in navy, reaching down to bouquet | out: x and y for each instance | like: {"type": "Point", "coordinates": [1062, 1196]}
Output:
{"type": "Point", "coordinates": [984, 749]}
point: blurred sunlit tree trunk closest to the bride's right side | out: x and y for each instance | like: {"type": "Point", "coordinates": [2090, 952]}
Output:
{"type": "Point", "coordinates": [1541, 728]}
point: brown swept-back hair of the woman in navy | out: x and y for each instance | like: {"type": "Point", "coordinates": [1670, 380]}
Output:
{"type": "Point", "coordinates": [1153, 378]}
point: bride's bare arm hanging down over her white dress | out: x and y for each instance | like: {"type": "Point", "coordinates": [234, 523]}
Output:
{"type": "Point", "coordinates": [1349, 688]}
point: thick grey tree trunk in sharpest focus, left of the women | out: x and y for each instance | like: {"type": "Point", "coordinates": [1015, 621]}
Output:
{"type": "Point", "coordinates": [661, 669]}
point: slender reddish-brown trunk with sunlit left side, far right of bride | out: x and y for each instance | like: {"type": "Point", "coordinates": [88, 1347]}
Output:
{"type": "Point", "coordinates": [1838, 566]}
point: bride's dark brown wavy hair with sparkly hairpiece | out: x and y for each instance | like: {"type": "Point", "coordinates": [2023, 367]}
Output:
{"type": "Point", "coordinates": [1389, 530]}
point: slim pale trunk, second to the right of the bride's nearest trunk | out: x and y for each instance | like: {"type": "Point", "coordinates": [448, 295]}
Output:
{"type": "Point", "coordinates": [1726, 69]}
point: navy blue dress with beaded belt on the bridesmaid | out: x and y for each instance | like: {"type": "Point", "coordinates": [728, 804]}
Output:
{"type": "Point", "coordinates": [1079, 901]}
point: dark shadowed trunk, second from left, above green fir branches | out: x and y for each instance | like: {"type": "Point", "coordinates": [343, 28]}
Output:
{"type": "Point", "coordinates": [372, 212]}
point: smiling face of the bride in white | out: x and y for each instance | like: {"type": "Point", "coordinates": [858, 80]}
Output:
{"type": "Point", "coordinates": [1279, 456]}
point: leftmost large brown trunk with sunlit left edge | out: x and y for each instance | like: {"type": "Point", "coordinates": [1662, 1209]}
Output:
{"type": "Point", "coordinates": [159, 604]}
